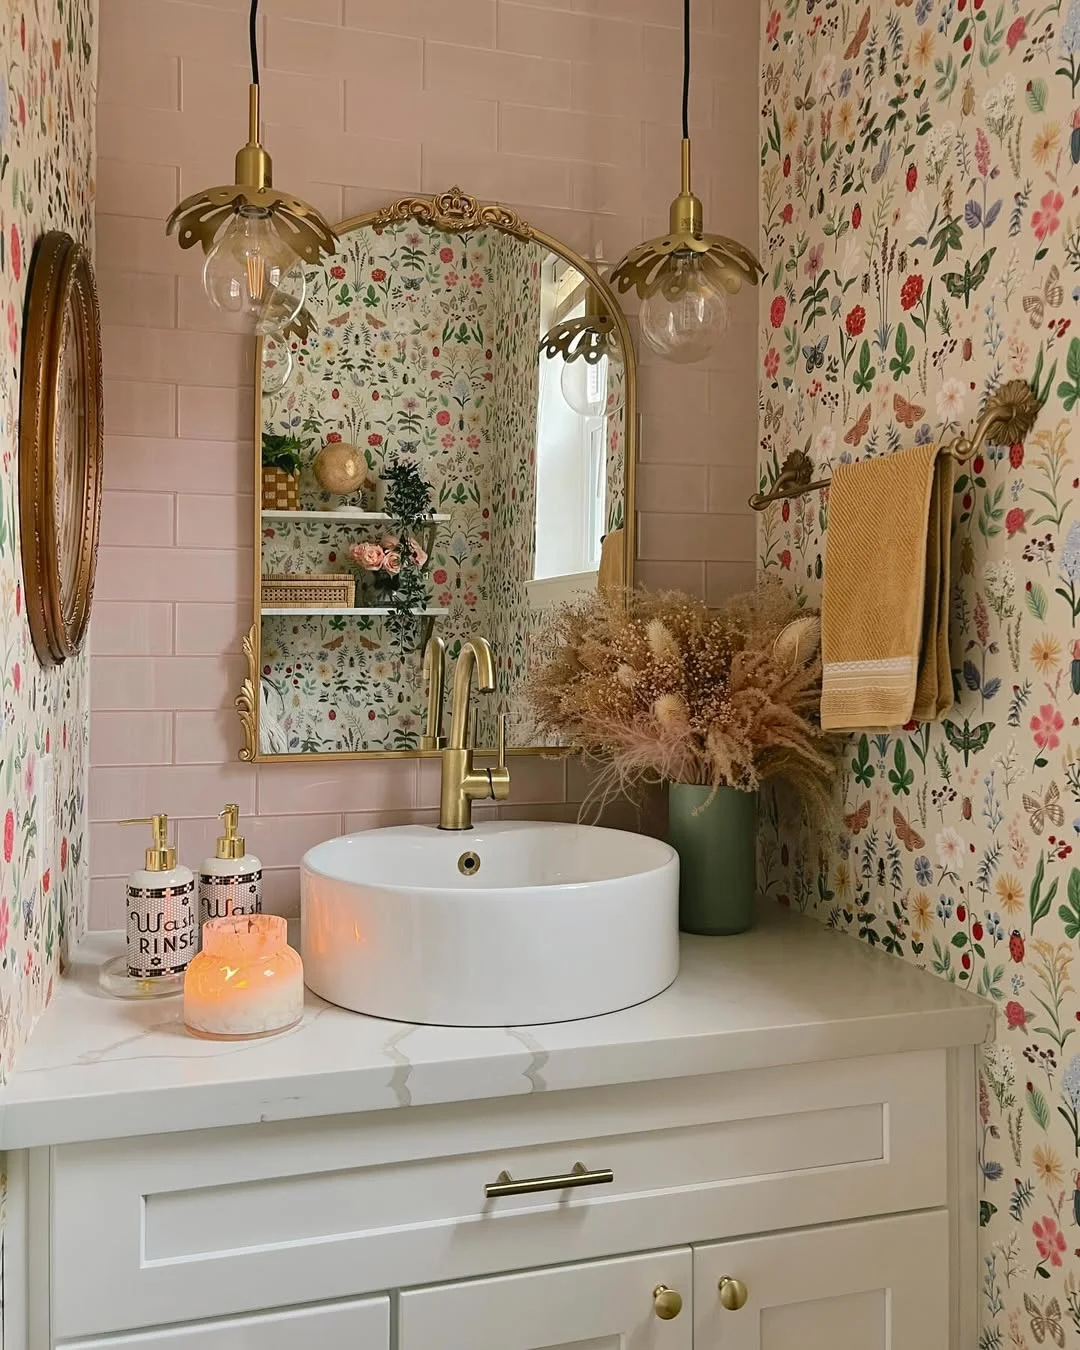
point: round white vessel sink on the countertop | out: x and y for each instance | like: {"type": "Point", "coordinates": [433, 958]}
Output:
{"type": "Point", "coordinates": [504, 925]}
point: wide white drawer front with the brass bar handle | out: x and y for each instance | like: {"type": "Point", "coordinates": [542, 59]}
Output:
{"type": "Point", "coordinates": [353, 1205]}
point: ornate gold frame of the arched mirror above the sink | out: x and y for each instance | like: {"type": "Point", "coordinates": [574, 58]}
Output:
{"type": "Point", "coordinates": [454, 213]}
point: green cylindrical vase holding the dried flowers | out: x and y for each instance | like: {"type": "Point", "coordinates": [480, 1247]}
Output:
{"type": "Point", "coordinates": [718, 847]}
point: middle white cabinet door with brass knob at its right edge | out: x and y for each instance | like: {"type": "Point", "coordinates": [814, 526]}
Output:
{"type": "Point", "coordinates": [600, 1306]}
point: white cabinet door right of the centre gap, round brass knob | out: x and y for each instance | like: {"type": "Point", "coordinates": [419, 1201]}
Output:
{"type": "Point", "coordinates": [878, 1286]}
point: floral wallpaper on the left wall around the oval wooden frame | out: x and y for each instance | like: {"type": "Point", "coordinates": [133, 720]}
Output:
{"type": "Point", "coordinates": [48, 91]}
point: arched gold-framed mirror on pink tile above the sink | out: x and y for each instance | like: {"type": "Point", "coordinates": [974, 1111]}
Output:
{"type": "Point", "coordinates": [450, 337]}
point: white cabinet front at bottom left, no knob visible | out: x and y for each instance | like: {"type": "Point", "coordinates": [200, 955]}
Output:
{"type": "Point", "coordinates": [333, 1326]}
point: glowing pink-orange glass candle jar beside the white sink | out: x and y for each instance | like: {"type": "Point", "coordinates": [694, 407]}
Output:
{"type": "Point", "coordinates": [246, 982]}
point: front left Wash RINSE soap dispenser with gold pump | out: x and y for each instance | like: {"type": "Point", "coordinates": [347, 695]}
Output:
{"type": "Point", "coordinates": [161, 923]}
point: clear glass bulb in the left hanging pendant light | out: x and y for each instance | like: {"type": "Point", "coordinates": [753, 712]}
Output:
{"type": "Point", "coordinates": [245, 272]}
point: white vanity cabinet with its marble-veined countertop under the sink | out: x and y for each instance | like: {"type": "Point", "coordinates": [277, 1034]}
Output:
{"type": "Point", "coordinates": [797, 1114]}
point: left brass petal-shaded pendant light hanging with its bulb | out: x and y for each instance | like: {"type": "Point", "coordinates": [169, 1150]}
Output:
{"type": "Point", "coordinates": [253, 234]}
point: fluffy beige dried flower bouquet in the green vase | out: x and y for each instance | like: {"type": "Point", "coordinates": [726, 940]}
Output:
{"type": "Point", "coordinates": [658, 688]}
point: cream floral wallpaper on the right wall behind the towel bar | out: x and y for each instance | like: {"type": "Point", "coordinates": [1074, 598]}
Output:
{"type": "Point", "coordinates": [921, 241]}
